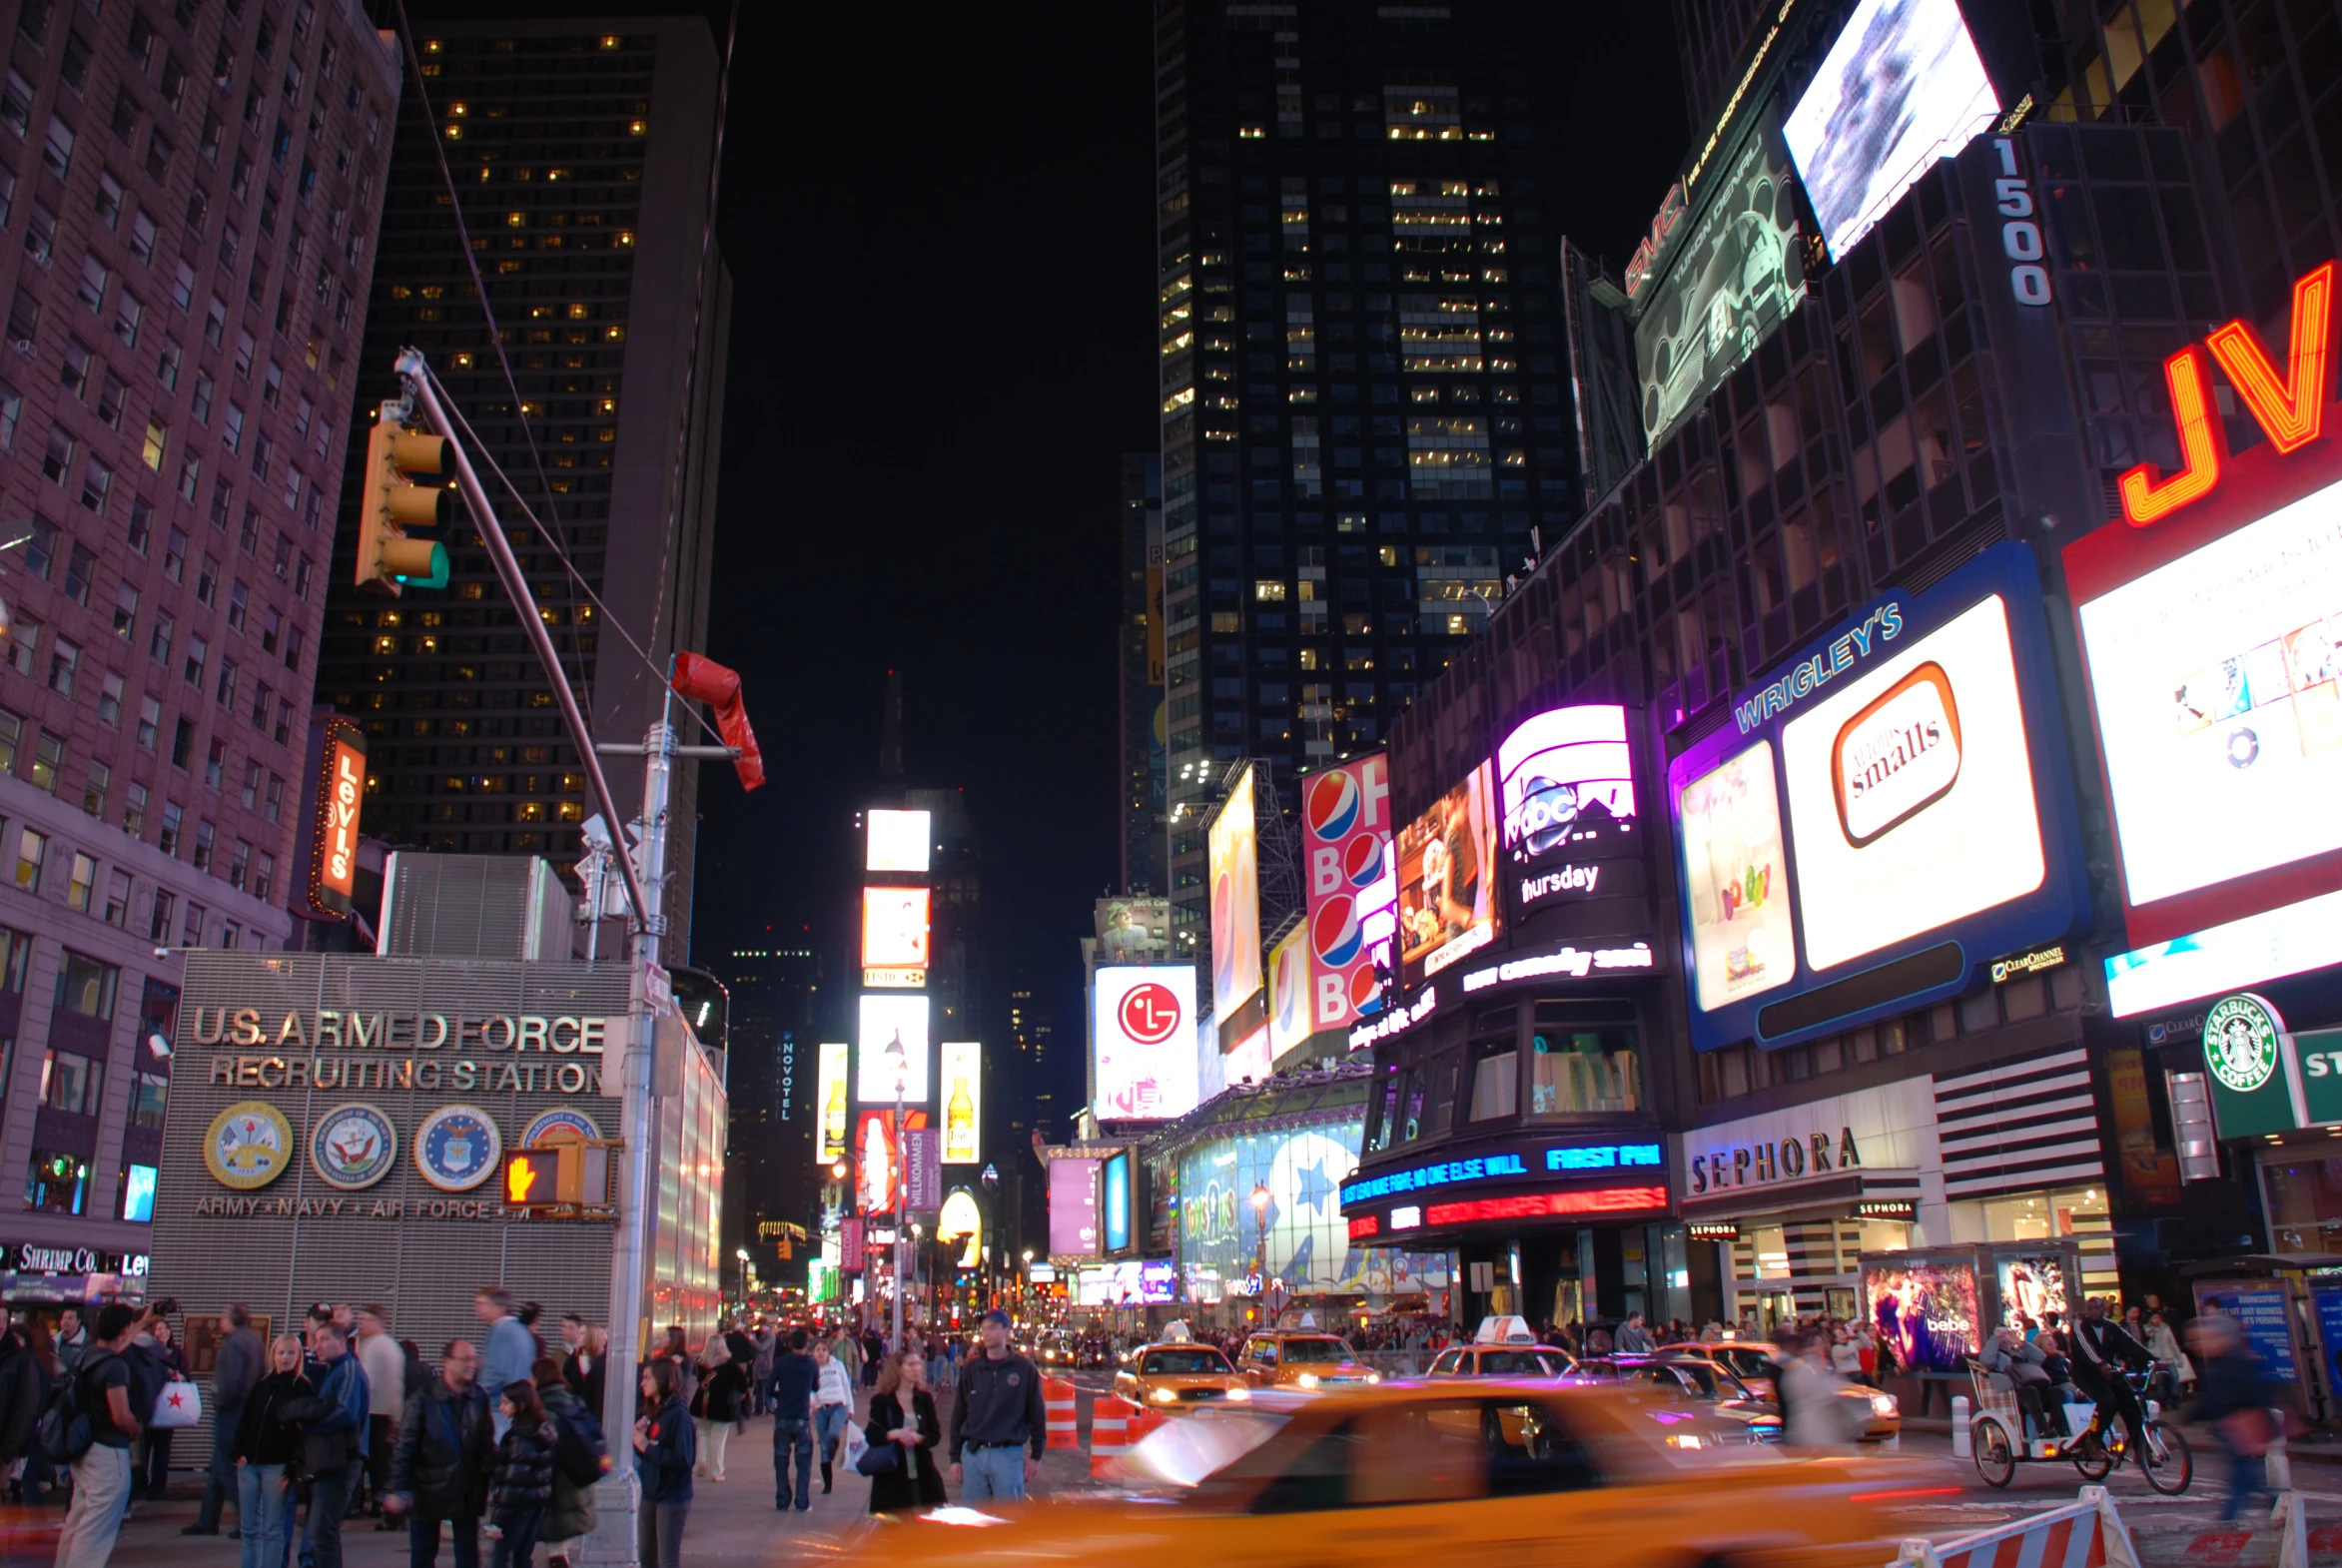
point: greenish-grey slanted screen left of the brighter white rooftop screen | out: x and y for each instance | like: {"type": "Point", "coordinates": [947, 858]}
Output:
{"type": "Point", "coordinates": [1734, 277]}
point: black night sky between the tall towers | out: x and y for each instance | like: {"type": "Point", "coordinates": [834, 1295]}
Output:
{"type": "Point", "coordinates": [940, 235]}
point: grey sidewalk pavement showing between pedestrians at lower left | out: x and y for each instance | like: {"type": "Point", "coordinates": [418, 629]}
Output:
{"type": "Point", "coordinates": [732, 1522]}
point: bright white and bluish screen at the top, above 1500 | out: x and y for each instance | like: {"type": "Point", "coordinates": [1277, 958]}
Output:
{"type": "Point", "coordinates": [1901, 90]}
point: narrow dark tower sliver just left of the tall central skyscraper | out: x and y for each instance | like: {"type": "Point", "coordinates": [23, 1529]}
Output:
{"type": "Point", "coordinates": [1139, 678]}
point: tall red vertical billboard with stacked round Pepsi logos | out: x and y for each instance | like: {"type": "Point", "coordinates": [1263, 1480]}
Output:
{"type": "Point", "coordinates": [1353, 890]}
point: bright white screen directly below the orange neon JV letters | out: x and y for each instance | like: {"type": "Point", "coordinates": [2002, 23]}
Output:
{"type": "Point", "coordinates": [2219, 703]}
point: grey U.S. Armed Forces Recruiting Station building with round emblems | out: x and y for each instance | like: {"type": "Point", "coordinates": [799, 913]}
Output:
{"type": "Point", "coordinates": [338, 1134]}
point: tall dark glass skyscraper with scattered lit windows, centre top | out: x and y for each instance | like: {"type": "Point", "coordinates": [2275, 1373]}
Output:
{"type": "Point", "coordinates": [1362, 406]}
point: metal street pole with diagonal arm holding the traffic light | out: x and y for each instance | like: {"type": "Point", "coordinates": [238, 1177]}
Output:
{"type": "Point", "coordinates": [617, 1497]}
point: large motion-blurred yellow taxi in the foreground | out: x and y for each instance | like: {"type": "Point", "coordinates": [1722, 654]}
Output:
{"type": "Point", "coordinates": [1409, 1473]}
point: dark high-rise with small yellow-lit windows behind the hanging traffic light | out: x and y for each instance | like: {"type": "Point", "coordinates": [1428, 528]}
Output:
{"type": "Point", "coordinates": [580, 165]}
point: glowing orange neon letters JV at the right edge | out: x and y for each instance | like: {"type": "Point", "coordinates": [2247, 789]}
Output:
{"type": "Point", "coordinates": [2292, 408]}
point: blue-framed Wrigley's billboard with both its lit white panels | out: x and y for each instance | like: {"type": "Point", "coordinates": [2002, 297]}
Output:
{"type": "Point", "coordinates": [1903, 785]}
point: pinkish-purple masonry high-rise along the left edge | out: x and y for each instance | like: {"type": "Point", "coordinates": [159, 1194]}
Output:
{"type": "Point", "coordinates": [193, 198]}
